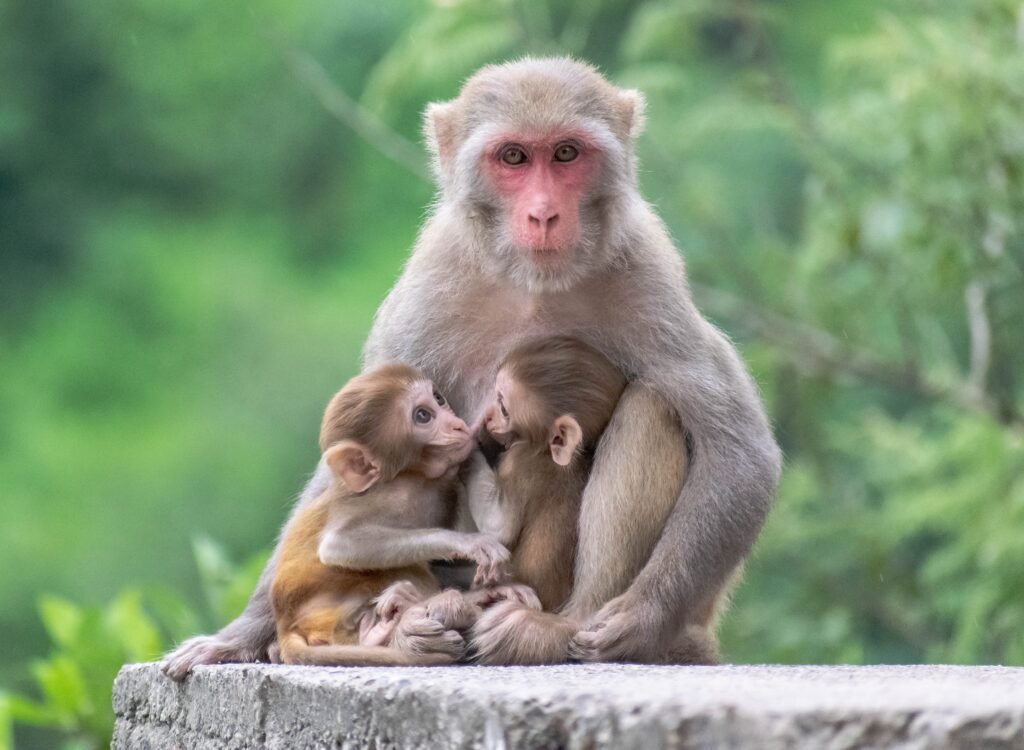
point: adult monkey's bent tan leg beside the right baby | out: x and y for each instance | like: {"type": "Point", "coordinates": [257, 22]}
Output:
{"type": "Point", "coordinates": [639, 470]}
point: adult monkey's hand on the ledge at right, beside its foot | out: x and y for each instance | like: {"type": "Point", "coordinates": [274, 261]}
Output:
{"type": "Point", "coordinates": [624, 631]}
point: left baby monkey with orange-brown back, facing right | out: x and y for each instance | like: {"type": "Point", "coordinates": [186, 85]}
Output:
{"type": "Point", "coordinates": [353, 586]}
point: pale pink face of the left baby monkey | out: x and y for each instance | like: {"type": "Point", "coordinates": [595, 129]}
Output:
{"type": "Point", "coordinates": [446, 439]}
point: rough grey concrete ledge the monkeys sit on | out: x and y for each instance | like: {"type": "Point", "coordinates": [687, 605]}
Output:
{"type": "Point", "coordinates": [572, 706]}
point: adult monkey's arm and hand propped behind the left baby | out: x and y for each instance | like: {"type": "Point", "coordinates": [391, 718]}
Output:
{"type": "Point", "coordinates": [248, 638]}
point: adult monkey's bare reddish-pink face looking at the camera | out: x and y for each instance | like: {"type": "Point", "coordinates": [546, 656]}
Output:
{"type": "Point", "coordinates": [542, 182]}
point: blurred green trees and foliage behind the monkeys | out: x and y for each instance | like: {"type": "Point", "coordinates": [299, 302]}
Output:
{"type": "Point", "coordinates": [201, 206]}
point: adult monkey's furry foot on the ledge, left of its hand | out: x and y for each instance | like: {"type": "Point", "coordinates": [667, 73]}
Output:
{"type": "Point", "coordinates": [510, 633]}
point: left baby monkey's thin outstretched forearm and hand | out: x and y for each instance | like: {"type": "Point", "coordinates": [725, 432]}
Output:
{"type": "Point", "coordinates": [370, 548]}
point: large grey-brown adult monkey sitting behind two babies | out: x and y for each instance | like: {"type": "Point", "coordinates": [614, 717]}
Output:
{"type": "Point", "coordinates": [539, 229]}
